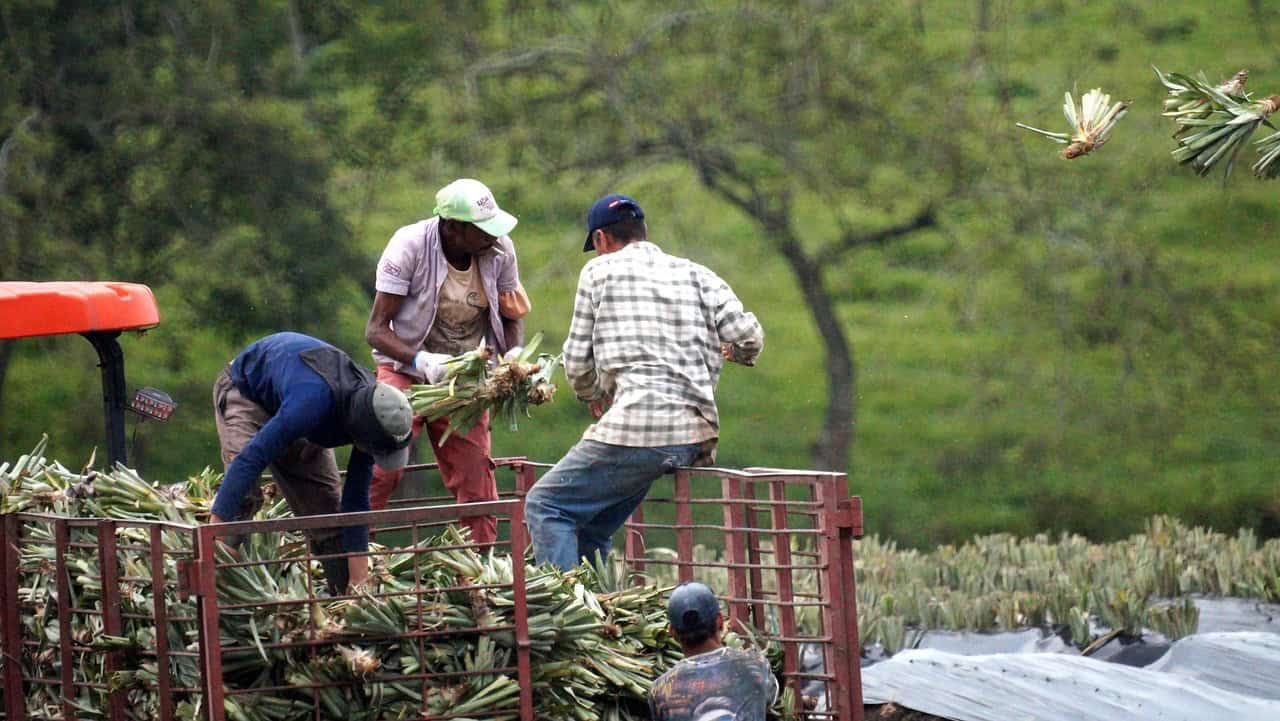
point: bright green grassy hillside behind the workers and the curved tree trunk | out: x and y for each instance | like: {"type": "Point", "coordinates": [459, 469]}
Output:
{"type": "Point", "coordinates": [1076, 348]}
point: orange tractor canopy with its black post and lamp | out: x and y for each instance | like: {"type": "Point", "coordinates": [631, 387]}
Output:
{"type": "Point", "coordinates": [100, 312]}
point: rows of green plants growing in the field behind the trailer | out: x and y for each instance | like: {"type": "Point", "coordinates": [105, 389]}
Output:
{"type": "Point", "coordinates": [1071, 586]}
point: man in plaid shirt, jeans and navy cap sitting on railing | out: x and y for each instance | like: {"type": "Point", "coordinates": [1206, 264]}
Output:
{"type": "Point", "coordinates": [650, 336]}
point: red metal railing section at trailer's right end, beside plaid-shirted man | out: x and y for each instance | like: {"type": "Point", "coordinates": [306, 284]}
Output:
{"type": "Point", "coordinates": [775, 527]}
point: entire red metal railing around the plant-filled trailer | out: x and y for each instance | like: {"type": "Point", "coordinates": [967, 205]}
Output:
{"type": "Point", "coordinates": [785, 573]}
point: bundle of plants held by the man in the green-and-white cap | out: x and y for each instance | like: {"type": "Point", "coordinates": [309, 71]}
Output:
{"type": "Point", "coordinates": [472, 386]}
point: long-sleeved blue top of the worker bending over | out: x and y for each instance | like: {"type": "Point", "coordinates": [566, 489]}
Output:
{"type": "Point", "coordinates": [273, 375]}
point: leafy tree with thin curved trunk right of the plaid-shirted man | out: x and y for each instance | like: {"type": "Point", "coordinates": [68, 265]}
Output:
{"type": "Point", "coordinates": [802, 116]}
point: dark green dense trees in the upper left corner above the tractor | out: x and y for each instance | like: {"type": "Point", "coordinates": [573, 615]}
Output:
{"type": "Point", "coordinates": [158, 144]}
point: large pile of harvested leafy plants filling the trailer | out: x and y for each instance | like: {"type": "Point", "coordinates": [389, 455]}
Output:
{"type": "Point", "coordinates": [432, 635]}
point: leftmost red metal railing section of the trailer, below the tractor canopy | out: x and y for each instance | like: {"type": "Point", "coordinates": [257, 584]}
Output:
{"type": "Point", "coordinates": [45, 645]}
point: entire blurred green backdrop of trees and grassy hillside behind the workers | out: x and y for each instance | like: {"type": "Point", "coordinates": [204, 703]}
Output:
{"type": "Point", "coordinates": [1039, 345]}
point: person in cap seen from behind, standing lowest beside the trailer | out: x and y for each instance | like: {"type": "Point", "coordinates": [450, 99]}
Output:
{"type": "Point", "coordinates": [714, 682]}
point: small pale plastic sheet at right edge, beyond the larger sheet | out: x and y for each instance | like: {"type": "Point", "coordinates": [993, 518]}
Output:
{"type": "Point", "coordinates": [1246, 663]}
